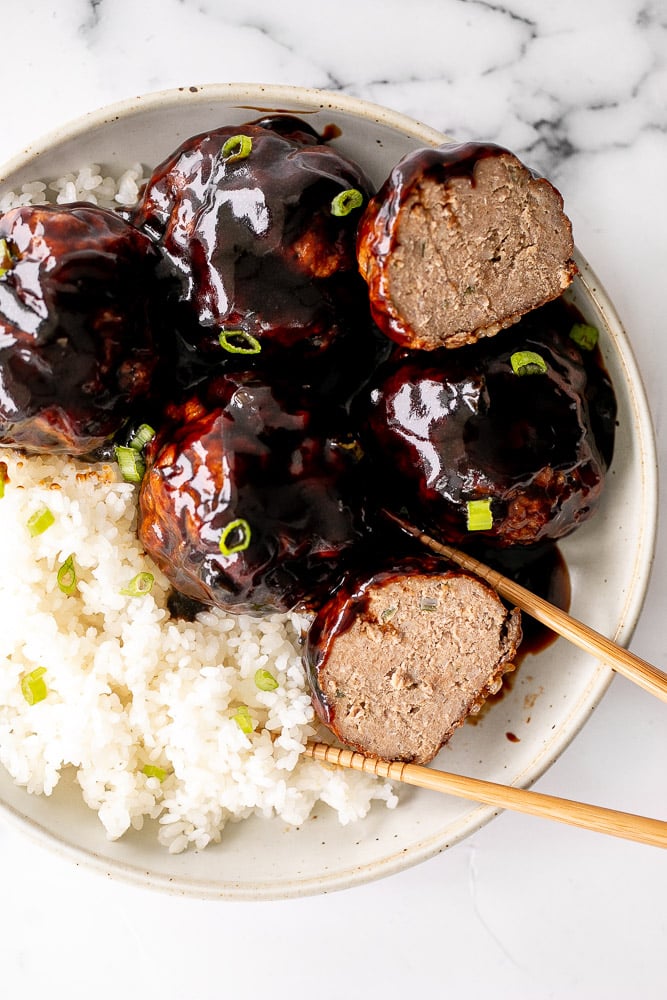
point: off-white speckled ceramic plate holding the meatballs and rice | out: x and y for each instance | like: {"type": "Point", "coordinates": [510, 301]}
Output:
{"type": "Point", "coordinates": [554, 692]}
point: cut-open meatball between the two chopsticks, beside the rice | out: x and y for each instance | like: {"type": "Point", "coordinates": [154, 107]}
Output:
{"type": "Point", "coordinates": [397, 659]}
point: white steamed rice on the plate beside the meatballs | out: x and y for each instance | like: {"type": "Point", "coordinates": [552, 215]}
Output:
{"type": "Point", "coordinates": [128, 686]}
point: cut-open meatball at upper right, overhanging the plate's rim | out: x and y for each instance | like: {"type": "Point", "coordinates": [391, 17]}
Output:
{"type": "Point", "coordinates": [459, 243]}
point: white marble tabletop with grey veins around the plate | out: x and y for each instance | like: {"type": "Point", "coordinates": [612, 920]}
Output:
{"type": "Point", "coordinates": [523, 908]}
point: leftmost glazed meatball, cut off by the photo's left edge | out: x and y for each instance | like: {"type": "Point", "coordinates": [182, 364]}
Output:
{"type": "Point", "coordinates": [76, 347]}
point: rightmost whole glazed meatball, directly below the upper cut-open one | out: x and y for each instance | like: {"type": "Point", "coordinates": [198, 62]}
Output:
{"type": "Point", "coordinates": [506, 441]}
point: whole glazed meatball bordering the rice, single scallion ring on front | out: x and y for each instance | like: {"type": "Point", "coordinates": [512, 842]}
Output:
{"type": "Point", "coordinates": [251, 502]}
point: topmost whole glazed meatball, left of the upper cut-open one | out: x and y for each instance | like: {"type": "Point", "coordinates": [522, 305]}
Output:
{"type": "Point", "coordinates": [259, 226]}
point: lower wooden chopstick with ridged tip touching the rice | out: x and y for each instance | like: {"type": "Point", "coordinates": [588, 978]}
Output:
{"type": "Point", "coordinates": [618, 824]}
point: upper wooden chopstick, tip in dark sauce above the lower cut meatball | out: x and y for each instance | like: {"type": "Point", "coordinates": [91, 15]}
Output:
{"type": "Point", "coordinates": [619, 659]}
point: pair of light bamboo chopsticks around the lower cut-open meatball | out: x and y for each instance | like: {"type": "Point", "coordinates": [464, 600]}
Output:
{"type": "Point", "coordinates": [619, 824]}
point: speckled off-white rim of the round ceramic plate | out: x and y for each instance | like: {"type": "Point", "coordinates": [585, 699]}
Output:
{"type": "Point", "coordinates": [276, 96]}
